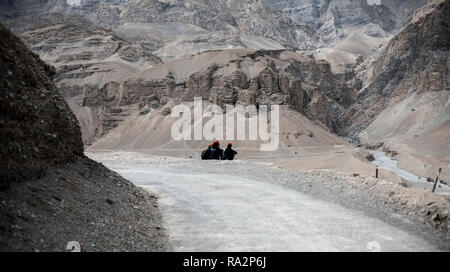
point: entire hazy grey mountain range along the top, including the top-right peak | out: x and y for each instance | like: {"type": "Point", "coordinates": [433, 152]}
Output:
{"type": "Point", "coordinates": [175, 29]}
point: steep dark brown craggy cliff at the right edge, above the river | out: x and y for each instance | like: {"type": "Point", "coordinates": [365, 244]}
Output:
{"type": "Point", "coordinates": [415, 61]}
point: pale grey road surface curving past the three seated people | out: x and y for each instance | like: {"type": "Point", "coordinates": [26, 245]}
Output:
{"type": "Point", "coordinates": [209, 210]}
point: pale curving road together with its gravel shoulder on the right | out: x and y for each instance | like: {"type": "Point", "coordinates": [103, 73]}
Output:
{"type": "Point", "coordinates": [256, 206]}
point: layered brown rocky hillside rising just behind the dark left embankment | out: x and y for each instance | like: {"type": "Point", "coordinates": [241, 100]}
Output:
{"type": "Point", "coordinates": [85, 57]}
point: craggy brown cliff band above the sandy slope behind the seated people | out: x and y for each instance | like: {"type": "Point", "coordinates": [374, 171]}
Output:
{"type": "Point", "coordinates": [223, 77]}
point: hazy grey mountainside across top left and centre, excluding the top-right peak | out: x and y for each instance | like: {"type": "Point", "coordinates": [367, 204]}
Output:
{"type": "Point", "coordinates": [177, 29]}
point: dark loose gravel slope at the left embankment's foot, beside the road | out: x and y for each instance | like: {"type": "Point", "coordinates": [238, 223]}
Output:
{"type": "Point", "coordinates": [83, 202]}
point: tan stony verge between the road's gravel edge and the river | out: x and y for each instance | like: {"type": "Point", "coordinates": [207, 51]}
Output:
{"type": "Point", "coordinates": [352, 171]}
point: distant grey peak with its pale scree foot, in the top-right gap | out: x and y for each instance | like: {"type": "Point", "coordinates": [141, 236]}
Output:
{"type": "Point", "coordinates": [350, 29]}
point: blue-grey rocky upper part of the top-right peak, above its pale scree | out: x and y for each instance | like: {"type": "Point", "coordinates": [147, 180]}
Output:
{"type": "Point", "coordinates": [335, 19]}
